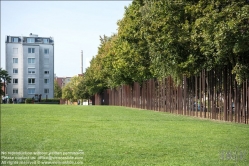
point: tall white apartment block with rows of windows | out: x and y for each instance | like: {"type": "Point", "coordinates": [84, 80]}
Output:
{"type": "Point", "coordinates": [30, 63]}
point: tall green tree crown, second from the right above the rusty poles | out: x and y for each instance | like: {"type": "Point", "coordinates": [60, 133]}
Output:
{"type": "Point", "coordinates": [167, 32]}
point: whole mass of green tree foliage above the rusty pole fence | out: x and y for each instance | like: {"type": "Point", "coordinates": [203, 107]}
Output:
{"type": "Point", "coordinates": [156, 39]}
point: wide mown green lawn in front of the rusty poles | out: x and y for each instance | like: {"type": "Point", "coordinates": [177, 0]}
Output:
{"type": "Point", "coordinates": [117, 136]}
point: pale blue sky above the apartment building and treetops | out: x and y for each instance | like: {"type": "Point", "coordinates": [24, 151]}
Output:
{"type": "Point", "coordinates": [75, 26]}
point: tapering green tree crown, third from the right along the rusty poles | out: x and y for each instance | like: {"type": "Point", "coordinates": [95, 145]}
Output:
{"type": "Point", "coordinates": [131, 48]}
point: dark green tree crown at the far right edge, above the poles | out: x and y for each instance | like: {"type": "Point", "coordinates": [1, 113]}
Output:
{"type": "Point", "coordinates": [220, 33]}
